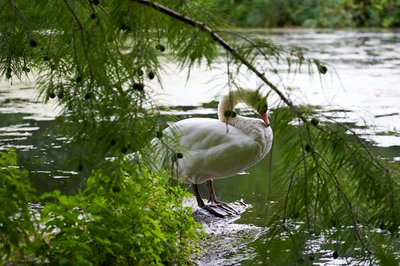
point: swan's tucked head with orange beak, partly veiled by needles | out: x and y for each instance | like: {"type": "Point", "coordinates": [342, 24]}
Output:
{"type": "Point", "coordinates": [258, 102]}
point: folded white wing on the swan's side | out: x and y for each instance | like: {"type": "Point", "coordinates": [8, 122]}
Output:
{"type": "Point", "coordinates": [210, 148]}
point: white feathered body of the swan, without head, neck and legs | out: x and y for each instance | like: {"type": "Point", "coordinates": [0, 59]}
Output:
{"type": "Point", "coordinates": [212, 149]}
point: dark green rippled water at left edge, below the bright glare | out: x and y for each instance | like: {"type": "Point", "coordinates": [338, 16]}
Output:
{"type": "Point", "coordinates": [40, 151]}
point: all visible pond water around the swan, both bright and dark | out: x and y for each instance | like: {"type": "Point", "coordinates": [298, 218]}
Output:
{"type": "Point", "coordinates": [363, 82]}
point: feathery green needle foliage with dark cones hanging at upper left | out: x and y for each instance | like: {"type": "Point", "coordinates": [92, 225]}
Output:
{"type": "Point", "coordinates": [100, 67]}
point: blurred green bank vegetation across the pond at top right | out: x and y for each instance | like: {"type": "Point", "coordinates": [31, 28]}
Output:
{"type": "Point", "coordinates": [309, 13]}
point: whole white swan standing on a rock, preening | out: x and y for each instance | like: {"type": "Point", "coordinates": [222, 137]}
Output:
{"type": "Point", "coordinates": [203, 149]}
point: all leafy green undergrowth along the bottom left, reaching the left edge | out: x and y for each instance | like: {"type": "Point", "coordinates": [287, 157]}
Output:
{"type": "Point", "coordinates": [137, 219]}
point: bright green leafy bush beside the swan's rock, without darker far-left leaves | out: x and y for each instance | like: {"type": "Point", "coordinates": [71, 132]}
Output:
{"type": "Point", "coordinates": [138, 220]}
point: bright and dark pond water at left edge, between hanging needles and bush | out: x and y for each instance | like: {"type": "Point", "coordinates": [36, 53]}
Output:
{"type": "Point", "coordinates": [30, 128]}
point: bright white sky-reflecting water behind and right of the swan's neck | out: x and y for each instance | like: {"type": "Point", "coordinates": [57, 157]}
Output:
{"type": "Point", "coordinates": [363, 77]}
